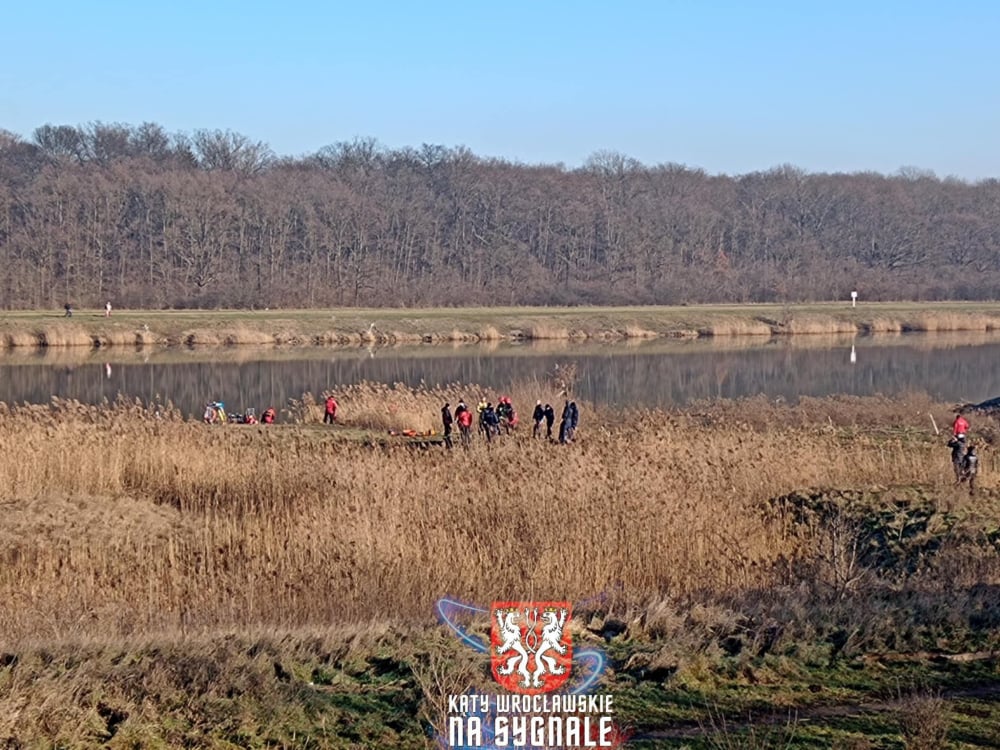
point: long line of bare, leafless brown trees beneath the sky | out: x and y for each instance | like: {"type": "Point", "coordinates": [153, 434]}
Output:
{"type": "Point", "coordinates": [213, 218]}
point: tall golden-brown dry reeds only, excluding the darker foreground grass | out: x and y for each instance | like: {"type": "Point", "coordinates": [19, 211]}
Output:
{"type": "Point", "coordinates": [125, 519]}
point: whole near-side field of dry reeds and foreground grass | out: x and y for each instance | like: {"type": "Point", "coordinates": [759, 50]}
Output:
{"type": "Point", "coordinates": [760, 574]}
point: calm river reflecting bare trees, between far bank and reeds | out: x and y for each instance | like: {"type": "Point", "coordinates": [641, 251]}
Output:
{"type": "Point", "coordinates": [949, 367]}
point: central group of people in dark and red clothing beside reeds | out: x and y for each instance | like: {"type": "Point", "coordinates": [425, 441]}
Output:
{"type": "Point", "coordinates": [493, 420]}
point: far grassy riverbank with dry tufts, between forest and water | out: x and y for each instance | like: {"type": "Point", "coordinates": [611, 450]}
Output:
{"type": "Point", "coordinates": [349, 326]}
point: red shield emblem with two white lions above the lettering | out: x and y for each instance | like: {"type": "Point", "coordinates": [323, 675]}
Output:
{"type": "Point", "coordinates": [530, 647]}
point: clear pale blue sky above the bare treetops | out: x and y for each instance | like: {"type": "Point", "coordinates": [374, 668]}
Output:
{"type": "Point", "coordinates": [728, 87]}
